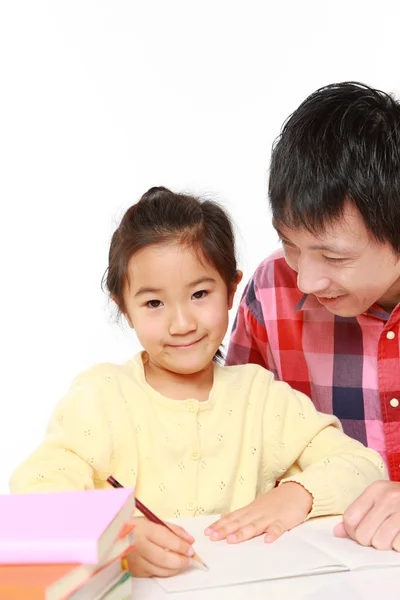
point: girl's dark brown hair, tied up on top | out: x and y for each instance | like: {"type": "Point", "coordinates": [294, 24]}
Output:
{"type": "Point", "coordinates": [162, 216]}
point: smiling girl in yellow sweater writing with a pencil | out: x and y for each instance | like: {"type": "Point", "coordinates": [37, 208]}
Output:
{"type": "Point", "coordinates": [191, 436]}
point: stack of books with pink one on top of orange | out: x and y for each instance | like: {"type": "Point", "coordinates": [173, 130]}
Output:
{"type": "Point", "coordinates": [67, 545]}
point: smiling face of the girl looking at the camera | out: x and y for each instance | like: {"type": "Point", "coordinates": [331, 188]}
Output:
{"type": "Point", "coordinates": [178, 306]}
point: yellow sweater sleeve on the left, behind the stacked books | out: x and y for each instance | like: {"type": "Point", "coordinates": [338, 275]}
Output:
{"type": "Point", "coordinates": [77, 447]}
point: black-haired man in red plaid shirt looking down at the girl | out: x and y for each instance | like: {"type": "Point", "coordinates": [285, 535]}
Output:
{"type": "Point", "coordinates": [324, 314]}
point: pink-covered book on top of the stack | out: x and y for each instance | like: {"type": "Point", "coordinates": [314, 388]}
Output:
{"type": "Point", "coordinates": [62, 527]}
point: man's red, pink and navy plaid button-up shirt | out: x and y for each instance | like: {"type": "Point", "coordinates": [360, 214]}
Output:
{"type": "Point", "coordinates": [349, 366]}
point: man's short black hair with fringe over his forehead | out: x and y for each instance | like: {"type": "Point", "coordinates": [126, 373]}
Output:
{"type": "Point", "coordinates": [342, 142]}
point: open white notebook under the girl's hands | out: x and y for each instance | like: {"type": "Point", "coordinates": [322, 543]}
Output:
{"type": "Point", "coordinates": [307, 550]}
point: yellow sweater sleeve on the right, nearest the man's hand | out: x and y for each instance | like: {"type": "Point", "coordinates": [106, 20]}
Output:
{"type": "Point", "coordinates": [310, 448]}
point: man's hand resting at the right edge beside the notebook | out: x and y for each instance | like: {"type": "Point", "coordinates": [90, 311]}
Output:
{"type": "Point", "coordinates": [374, 518]}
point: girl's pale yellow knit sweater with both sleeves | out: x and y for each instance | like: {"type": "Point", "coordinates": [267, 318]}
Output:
{"type": "Point", "coordinates": [188, 458]}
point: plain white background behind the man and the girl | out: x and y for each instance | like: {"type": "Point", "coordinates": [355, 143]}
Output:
{"type": "Point", "coordinates": [100, 101]}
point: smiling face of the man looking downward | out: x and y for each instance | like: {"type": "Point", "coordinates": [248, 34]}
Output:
{"type": "Point", "coordinates": [344, 267]}
